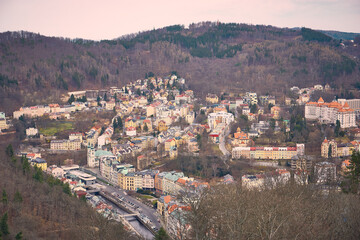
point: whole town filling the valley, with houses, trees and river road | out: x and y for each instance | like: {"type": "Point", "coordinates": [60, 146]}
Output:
{"type": "Point", "coordinates": [136, 153]}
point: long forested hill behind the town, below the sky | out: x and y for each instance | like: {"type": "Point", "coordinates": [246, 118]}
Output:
{"type": "Point", "coordinates": [211, 56]}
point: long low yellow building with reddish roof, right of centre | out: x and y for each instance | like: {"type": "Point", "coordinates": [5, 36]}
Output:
{"type": "Point", "coordinates": [273, 153]}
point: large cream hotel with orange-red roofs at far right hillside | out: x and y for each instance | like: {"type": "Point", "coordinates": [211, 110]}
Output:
{"type": "Point", "coordinates": [330, 113]}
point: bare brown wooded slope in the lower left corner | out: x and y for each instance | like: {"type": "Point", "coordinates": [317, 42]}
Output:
{"type": "Point", "coordinates": [37, 206]}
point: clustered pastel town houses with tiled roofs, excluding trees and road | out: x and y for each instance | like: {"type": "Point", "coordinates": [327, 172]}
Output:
{"type": "Point", "coordinates": [155, 118]}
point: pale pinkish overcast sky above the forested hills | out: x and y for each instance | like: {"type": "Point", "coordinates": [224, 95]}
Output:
{"type": "Point", "coordinates": [109, 19]}
